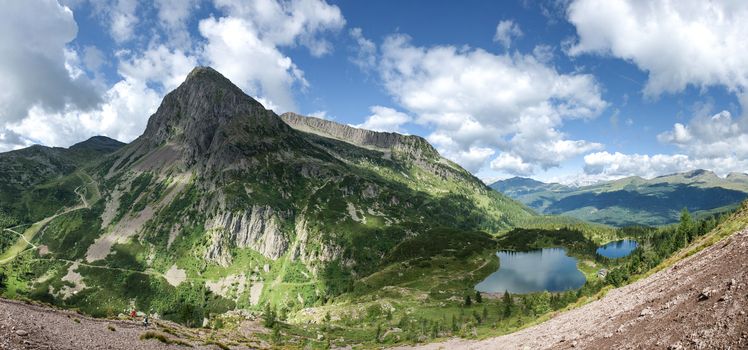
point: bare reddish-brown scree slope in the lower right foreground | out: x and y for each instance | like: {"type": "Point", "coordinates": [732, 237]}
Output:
{"type": "Point", "coordinates": [698, 303]}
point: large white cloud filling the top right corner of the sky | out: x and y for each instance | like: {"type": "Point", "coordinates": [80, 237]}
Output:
{"type": "Point", "coordinates": [678, 42]}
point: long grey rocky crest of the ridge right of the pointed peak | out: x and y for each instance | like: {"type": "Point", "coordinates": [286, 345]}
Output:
{"type": "Point", "coordinates": [414, 146]}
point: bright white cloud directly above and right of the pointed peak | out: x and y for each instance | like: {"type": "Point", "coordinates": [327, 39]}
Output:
{"type": "Point", "coordinates": [244, 44]}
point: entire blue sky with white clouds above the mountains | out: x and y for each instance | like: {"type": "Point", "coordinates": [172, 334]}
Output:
{"type": "Point", "coordinates": [573, 91]}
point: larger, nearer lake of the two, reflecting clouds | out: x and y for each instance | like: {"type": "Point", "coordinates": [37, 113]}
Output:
{"type": "Point", "coordinates": [535, 271]}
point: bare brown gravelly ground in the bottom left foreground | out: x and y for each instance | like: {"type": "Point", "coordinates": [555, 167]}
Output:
{"type": "Point", "coordinates": [26, 326]}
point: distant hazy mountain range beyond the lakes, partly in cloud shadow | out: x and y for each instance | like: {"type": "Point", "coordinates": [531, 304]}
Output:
{"type": "Point", "coordinates": [632, 200]}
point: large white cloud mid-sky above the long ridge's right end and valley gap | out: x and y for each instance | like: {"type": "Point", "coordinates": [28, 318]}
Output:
{"type": "Point", "coordinates": [478, 100]}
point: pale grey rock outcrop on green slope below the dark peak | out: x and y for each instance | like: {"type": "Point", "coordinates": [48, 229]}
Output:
{"type": "Point", "coordinates": [257, 228]}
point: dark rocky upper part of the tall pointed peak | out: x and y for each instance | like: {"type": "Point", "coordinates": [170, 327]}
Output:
{"type": "Point", "coordinates": [208, 123]}
